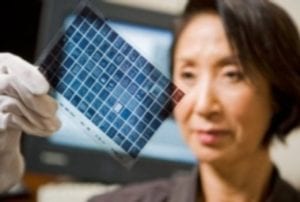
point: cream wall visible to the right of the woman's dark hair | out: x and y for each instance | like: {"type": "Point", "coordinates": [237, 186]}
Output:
{"type": "Point", "coordinates": [286, 156]}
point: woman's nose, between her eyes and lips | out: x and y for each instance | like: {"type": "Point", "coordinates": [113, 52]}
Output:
{"type": "Point", "coordinates": [206, 102]}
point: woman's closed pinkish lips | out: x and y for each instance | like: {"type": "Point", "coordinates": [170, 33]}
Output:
{"type": "Point", "coordinates": [211, 137]}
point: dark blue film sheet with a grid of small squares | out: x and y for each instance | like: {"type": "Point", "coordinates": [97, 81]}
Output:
{"type": "Point", "coordinates": [108, 81]}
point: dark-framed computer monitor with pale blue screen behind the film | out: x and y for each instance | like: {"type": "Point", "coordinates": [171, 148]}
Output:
{"type": "Point", "coordinates": [70, 153]}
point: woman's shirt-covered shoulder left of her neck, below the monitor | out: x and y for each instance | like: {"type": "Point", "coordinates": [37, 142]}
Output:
{"type": "Point", "coordinates": [158, 190]}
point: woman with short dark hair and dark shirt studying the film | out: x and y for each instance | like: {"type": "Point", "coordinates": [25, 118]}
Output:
{"type": "Point", "coordinates": [238, 63]}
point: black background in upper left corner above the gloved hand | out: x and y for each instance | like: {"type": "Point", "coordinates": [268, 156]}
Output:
{"type": "Point", "coordinates": [19, 22]}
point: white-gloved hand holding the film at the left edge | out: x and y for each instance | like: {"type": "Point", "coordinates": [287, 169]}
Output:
{"type": "Point", "coordinates": [24, 106]}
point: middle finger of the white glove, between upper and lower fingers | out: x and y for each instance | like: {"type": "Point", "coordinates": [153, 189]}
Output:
{"type": "Point", "coordinates": [42, 104]}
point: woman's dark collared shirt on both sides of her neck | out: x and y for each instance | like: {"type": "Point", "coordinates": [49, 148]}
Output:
{"type": "Point", "coordinates": [184, 189]}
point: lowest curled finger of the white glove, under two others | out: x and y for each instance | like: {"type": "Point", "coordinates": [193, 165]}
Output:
{"type": "Point", "coordinates": [11, 106]}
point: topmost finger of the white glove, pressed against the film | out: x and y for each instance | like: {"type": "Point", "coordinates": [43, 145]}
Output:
{"type": "Point", "coordinates": [27, 74]}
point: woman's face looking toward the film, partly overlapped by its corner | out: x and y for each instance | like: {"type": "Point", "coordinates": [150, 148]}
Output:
{"type": "Point", "coordinates": [223, 115]}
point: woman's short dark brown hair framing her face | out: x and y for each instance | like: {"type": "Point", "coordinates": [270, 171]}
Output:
{"type": "Point", "coordinates": [266, 41]}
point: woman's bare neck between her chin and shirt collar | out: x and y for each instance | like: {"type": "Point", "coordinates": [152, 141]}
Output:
{"type": "Point", "coordinates": [243, 181]}
